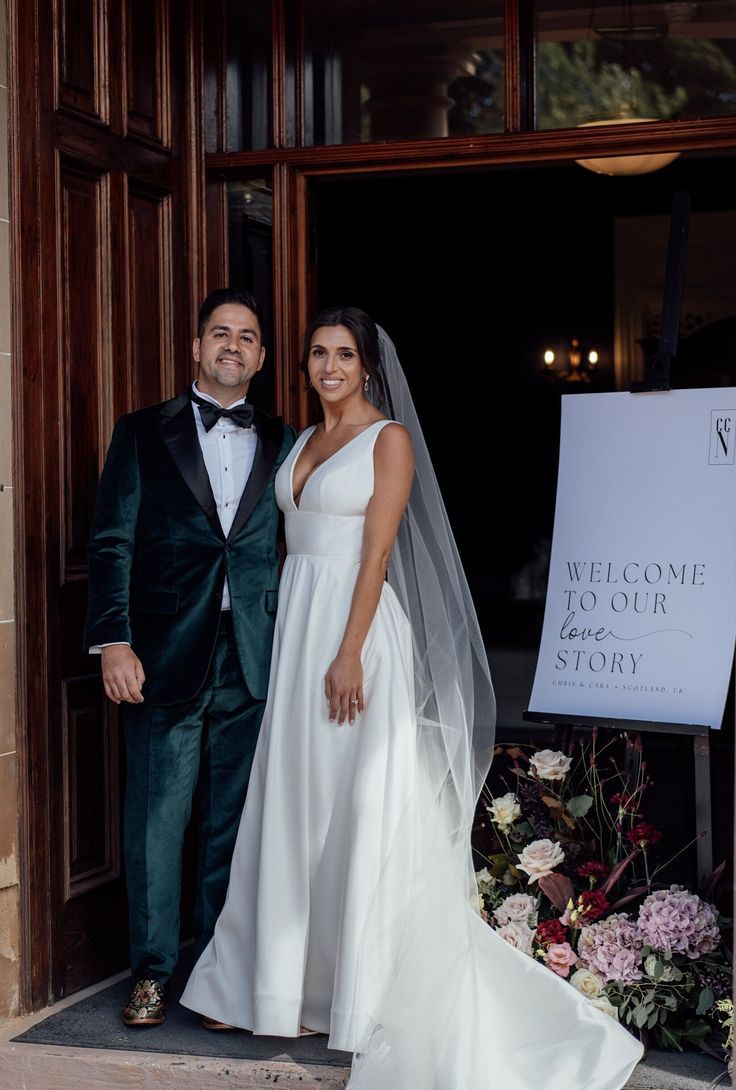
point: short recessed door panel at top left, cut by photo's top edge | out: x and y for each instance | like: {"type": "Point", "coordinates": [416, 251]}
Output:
{"type": "Point", "coordinates": [82, 63]}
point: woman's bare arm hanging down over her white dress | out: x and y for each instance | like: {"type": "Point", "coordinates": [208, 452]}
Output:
{"type": "Point", "coordinates": [394, 465]}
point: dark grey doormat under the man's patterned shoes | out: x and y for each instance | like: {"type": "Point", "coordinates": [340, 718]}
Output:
{"type": "Point", "coordinates": [95, 1023]}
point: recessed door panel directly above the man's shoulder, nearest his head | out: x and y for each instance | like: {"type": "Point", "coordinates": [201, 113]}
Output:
{"type": "Point", "coordinates": [150, 296]}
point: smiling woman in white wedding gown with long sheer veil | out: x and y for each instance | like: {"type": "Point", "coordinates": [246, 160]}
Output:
{"type": "Point", "coordinates": [351, 907]}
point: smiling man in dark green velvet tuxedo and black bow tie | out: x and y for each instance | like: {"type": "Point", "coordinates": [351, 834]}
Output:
{"type": "Point", "coordinates": [184, 575]}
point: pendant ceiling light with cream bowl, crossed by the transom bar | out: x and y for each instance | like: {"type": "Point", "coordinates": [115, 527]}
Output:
{"type": "Point", "coordinates": [628, 33]}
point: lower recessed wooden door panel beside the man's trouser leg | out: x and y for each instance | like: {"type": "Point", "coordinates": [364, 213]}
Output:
{"type": "Point", "coordinates": [92, 791]}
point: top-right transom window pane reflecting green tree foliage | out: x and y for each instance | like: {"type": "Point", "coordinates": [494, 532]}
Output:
{"type": "Point", "coordinates": [619, 62]}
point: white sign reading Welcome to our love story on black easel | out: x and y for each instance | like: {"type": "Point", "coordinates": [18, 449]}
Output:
{"type": "Point", "coordinates": [641, 613]}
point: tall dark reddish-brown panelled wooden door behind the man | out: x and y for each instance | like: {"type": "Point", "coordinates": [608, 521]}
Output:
{"type": "Point", "coordinates": [103, 324]}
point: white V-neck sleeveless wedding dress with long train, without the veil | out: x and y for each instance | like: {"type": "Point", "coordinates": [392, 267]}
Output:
{"type": "Point", "coordinates": [346, 912]}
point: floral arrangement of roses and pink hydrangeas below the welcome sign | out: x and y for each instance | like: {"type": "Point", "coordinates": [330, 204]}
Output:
{"type": "Point", "coordinates": [571, 878]}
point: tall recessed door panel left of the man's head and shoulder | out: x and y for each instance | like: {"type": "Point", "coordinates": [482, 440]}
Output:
{"type": "Point", "coordinates": [85, 265]}
